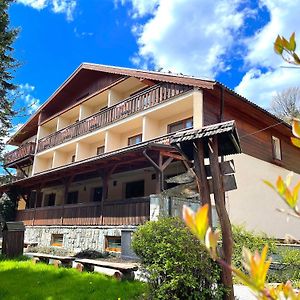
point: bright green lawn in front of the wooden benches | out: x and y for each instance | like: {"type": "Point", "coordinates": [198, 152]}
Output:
{"type": "Point", "coordinates": [25, 280]}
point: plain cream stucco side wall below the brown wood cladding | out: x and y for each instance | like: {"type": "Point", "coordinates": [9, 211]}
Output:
{"type": "Point", "coordinates": [254, 204]}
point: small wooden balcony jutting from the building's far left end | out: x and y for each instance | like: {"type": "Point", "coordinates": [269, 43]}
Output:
{"type": "Point", "coordinates": [20, 156]}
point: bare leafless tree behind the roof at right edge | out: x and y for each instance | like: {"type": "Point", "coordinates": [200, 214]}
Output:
{"type": "Point", "coordinates": [286, 104]}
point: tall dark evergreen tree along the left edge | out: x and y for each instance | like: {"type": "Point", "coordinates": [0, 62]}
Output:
{"type": "Point", "coordinates": [7, 65]}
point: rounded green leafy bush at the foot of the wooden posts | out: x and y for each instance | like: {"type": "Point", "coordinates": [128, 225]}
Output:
{"type": "Point", "coordinates": [177, 265]}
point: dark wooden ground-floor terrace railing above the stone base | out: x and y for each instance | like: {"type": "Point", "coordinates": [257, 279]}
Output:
{"type": "Point", "coordinates": [133, 211]}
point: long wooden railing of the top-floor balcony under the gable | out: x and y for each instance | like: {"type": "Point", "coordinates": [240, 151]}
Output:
{"type": "Point", "coordinates": [132, 105]}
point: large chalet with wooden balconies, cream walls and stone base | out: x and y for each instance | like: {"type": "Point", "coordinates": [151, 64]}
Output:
{"type": "Point", "coordinates": [86, 159]}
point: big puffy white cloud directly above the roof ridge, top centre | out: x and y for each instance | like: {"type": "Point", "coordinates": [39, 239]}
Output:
{"type": "Point", "coordinates": [191, 37]}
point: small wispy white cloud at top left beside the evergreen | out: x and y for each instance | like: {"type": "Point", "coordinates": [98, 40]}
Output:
{"type": "Point", "coordinates": [66, 7]}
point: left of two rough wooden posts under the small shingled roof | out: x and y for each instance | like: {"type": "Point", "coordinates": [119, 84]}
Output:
{"type": "Point", "coordinates": [201, 176]}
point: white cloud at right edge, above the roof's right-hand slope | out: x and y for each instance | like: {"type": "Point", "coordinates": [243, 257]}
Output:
{"type": "Point", "coordinates": [262, 86]}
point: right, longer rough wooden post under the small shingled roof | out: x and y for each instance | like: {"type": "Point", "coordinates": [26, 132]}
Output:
{"type": "Point", "coordinates": [219, 196]}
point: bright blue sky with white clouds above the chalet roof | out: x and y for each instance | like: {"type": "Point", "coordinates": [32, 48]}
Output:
{"type": "Point", "coordinates": [229, 40]}
